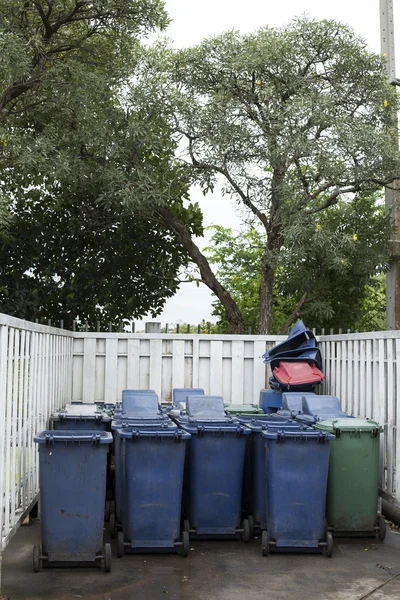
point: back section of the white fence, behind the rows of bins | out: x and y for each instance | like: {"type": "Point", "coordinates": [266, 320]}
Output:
{"type": "Point", "coordinates": [104, 364]}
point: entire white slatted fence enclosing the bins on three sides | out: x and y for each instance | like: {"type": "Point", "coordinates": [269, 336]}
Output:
{"type": "Point", "coordinates": [42, 368]}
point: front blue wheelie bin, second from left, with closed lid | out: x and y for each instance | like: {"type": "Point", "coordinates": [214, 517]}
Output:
{"type": "Point", "coordinates": [152, 466]}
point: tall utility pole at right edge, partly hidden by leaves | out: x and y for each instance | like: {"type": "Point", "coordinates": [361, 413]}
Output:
{"type": "Point", "coordinates": [392, 193]}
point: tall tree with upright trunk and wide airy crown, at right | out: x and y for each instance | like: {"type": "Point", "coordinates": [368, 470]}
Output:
{"type": "Point", "coordinates": [291, 120]}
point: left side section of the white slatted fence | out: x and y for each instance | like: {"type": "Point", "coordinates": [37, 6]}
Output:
{"type": "Point", "coordinates": [35, 377]}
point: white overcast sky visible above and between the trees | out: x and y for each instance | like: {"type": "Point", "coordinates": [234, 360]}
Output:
{"type": "Point", "coordinates": [192, 21]}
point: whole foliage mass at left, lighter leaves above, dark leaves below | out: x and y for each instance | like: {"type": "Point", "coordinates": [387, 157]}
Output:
{"type": "Point", "coordinates": [81, 173]}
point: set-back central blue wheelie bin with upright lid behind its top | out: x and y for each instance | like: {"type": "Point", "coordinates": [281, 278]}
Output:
{"type": "Point", "coordinates": [214, 470]}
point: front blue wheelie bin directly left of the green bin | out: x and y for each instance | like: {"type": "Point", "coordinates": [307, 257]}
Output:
{"type": "Point", "coordinates": [297, 474]}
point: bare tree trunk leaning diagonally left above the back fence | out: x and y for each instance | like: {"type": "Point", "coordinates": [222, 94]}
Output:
{"type": "Point", "coordinates": [233, 314]}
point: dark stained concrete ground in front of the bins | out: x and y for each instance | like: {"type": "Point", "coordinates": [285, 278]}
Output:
{"type": "Point", "coordinates": [360, 569]}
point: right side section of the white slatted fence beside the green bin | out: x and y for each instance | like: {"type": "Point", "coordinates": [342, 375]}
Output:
{"type": "Point", "coordinates": [363, 370]}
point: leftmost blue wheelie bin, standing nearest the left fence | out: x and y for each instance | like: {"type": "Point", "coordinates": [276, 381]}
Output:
{"type": "Point", "coordinates": [72, 474]}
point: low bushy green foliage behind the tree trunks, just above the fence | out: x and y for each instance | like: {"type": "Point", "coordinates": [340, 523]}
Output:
{"type": "Point", "coordinates": [326, 273]}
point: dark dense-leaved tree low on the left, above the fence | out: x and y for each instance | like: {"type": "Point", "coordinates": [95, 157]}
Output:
{"type": "Point", "coordinates": [73, 259]}
